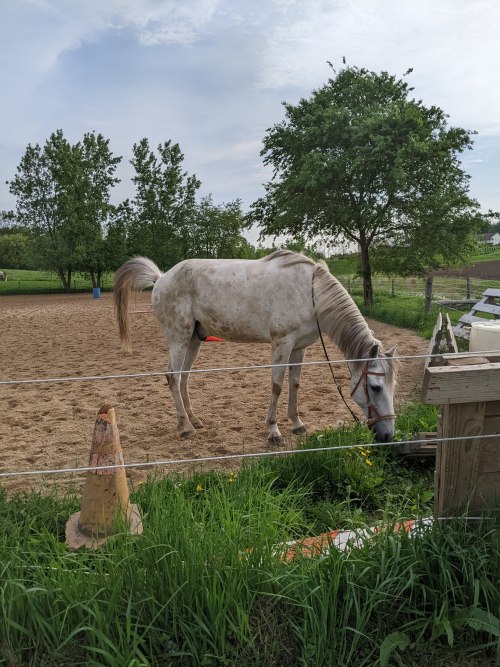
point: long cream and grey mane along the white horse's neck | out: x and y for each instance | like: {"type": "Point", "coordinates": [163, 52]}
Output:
{"type": "Point", "coordinates": [338, 315]}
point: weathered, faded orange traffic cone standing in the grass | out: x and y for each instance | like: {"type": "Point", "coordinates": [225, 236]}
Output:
{"type": "Point", "coordinates": [105, 501]}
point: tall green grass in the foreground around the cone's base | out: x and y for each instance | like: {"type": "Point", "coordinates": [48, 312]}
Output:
{"type": "Point", "coordinates": [206, 584]}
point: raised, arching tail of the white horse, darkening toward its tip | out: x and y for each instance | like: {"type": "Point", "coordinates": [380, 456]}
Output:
{"type": "Point", "coordinates": [133, 275]}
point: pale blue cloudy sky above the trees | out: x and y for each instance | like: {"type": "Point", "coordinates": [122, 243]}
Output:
{"type": "Point", "coordinates": [211, 75]}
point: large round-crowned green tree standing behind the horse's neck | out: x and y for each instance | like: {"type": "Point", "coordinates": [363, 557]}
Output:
{"type": "Point", "coordinates": [360, 161]}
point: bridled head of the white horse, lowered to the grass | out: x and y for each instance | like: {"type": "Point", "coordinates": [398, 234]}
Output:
{"type": "Point", "coordinates": [372, 387]}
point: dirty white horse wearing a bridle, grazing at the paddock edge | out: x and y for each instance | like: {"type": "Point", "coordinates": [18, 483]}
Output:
{"type": "Point", "coordinates": [284, 299]}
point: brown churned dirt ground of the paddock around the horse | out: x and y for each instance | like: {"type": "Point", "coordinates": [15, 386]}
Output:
{"type": "Point", "coordinates": [50, 425]}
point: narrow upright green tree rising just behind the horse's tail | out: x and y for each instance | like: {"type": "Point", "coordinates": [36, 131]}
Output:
{"type": "Point", "coordinates": [164, 204]}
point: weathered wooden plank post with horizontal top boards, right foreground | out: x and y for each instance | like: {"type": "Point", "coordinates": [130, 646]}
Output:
{"type": "Point", "coordinates": [467, 476]}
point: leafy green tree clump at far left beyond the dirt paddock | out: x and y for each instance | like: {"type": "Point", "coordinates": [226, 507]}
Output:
{"type": "Point", "coordinates": [62, 196]}
